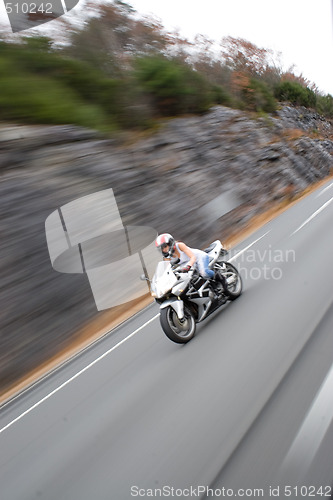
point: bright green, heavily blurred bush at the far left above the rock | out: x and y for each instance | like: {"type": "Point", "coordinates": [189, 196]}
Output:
{"type": "Point", "coordinates": [42, 86]}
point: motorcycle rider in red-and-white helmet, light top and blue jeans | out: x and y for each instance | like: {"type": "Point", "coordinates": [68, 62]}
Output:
{"type": "Point", "coordinates": [188, 257]}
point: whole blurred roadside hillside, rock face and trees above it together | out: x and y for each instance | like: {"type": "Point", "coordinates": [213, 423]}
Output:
{"type": "Point", "coordinates": [112, 99]}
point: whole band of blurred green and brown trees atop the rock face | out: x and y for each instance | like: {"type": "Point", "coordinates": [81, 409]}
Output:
{"type": "Point", "coordinates": [118, 71]}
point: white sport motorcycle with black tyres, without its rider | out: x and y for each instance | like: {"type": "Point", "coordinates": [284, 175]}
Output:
{"type": "Point", "coordinates": [186, 299]}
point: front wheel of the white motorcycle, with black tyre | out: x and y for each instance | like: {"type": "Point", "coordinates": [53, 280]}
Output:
{"type": "Point", "coordinates": [176, 330]}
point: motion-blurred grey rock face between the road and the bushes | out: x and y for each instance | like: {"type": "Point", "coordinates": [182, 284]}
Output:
{"type": "Point", "coordinates": [162, 180]}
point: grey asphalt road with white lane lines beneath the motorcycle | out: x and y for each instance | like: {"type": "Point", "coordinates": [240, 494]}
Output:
{"type": "Point", "coordinates": [244, 409]}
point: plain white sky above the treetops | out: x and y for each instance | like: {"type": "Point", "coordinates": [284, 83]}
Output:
{"type": "Point", "coordinates": [302, 30]}
